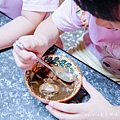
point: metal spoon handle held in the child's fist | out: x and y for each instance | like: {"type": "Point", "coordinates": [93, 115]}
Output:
{"type": "Point", "coordinates": [19, 44]}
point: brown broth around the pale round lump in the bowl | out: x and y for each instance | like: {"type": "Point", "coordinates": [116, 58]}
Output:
{"type": "Point", "coordinates": [43, 76]}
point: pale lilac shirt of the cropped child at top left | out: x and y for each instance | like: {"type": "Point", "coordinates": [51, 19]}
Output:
{"type": "Point", "coordinates": [13, 8]}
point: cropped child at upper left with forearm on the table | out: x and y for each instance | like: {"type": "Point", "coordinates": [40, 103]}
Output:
{"type": "Point", "coordinates": [26, 18]}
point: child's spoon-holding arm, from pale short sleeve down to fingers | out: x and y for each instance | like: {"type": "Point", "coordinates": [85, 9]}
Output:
{"type": "Point", "coordinates": [46, 35]}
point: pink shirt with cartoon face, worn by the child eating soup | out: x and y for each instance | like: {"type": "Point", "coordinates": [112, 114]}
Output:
{"type": "Point", "coordinates": [102, 42]}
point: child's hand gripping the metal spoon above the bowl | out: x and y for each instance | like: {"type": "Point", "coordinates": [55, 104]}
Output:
{"type": "Point", "coordinates": [25, 58]}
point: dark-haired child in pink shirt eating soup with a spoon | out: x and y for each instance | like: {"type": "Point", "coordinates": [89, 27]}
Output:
{"type": "Point", "coordinates": [102, 19]}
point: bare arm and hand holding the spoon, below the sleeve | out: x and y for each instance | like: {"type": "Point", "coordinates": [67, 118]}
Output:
{"type": "Point", "coordinates": [44, 37]}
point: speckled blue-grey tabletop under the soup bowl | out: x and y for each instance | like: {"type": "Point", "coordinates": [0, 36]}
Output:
{"type": "Point", "coordinates": [16, 102]}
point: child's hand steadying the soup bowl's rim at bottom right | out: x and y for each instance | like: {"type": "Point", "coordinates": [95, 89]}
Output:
{"type": "Point", "coordinates": [97, 108]}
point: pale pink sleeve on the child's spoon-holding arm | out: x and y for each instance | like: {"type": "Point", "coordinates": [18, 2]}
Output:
{"type": "Point", "coordinates": [66, 18]}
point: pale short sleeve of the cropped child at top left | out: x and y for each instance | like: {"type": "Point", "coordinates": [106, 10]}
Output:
{"type": "Point", "coordinates": [40, 5]}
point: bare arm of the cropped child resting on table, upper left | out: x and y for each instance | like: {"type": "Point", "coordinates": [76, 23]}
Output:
{"type": "Point", "coordinates": [22, 25]}
